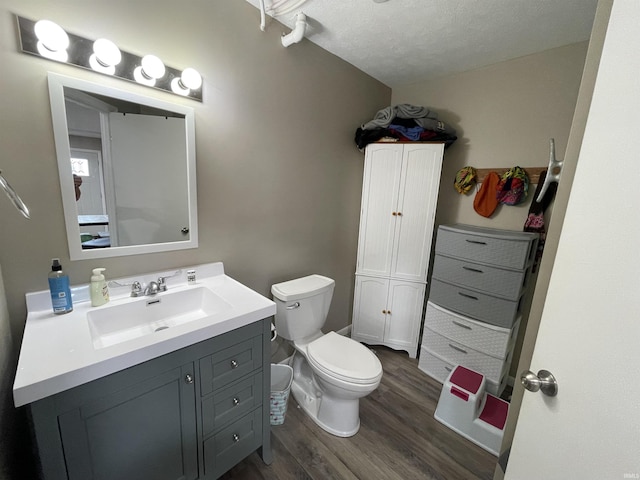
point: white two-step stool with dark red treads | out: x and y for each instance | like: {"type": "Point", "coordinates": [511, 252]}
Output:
{"type": "Point", "coordinates": [466, 408]}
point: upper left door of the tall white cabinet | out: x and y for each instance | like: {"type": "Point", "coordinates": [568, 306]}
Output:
{"type": "Point", "coordinates": [381, 181]}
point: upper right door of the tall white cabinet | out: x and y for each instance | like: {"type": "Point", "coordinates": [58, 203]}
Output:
{"type": "Point", "coordinates": [418, 196]}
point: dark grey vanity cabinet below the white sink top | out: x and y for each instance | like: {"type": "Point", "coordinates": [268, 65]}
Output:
{"type": "Point", "coordinates": [191, 414]}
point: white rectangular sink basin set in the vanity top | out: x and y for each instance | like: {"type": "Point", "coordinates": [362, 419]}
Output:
{"type": "Point", "coordinates": [113, 324]}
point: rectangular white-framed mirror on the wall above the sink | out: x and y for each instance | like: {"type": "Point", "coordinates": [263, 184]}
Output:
{"type": "Point", "coordinates": [127, 170]}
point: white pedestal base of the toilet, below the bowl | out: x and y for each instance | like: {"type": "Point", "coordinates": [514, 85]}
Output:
{"type": "Point", "coordinates": [326, 412]}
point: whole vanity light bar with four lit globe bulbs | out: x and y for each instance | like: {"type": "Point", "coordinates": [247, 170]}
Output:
{"type": "Point", "coordinates": [48, 40]}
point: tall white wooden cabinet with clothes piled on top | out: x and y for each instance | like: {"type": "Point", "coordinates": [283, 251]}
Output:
{"type": "Point", "coordinates": [399, 197]}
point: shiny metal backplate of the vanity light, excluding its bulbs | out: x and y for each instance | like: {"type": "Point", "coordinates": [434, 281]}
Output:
{"type": "Point", "coordinates": [81, 49]}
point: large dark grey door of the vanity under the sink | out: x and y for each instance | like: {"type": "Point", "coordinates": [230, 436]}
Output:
{"type": "Point", "coordinates": [147, 431]}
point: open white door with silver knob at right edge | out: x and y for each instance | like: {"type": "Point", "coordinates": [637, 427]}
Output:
{"type": "Point", "coordinates": [589, 336]}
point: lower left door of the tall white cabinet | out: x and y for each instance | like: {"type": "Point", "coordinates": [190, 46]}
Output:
{"type": "Point", "coordinates": [369, 307]}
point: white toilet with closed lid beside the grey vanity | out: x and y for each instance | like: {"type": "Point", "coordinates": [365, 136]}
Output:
{"type": "Point", "coordinates": [330, 372]}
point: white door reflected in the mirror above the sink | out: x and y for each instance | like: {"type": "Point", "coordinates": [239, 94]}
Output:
{"type": "Point", "coordinates": [149, 147]}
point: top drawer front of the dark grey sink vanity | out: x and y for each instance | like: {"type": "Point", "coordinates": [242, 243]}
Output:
{"type": "Point", "coordinates": [230, 364]}
